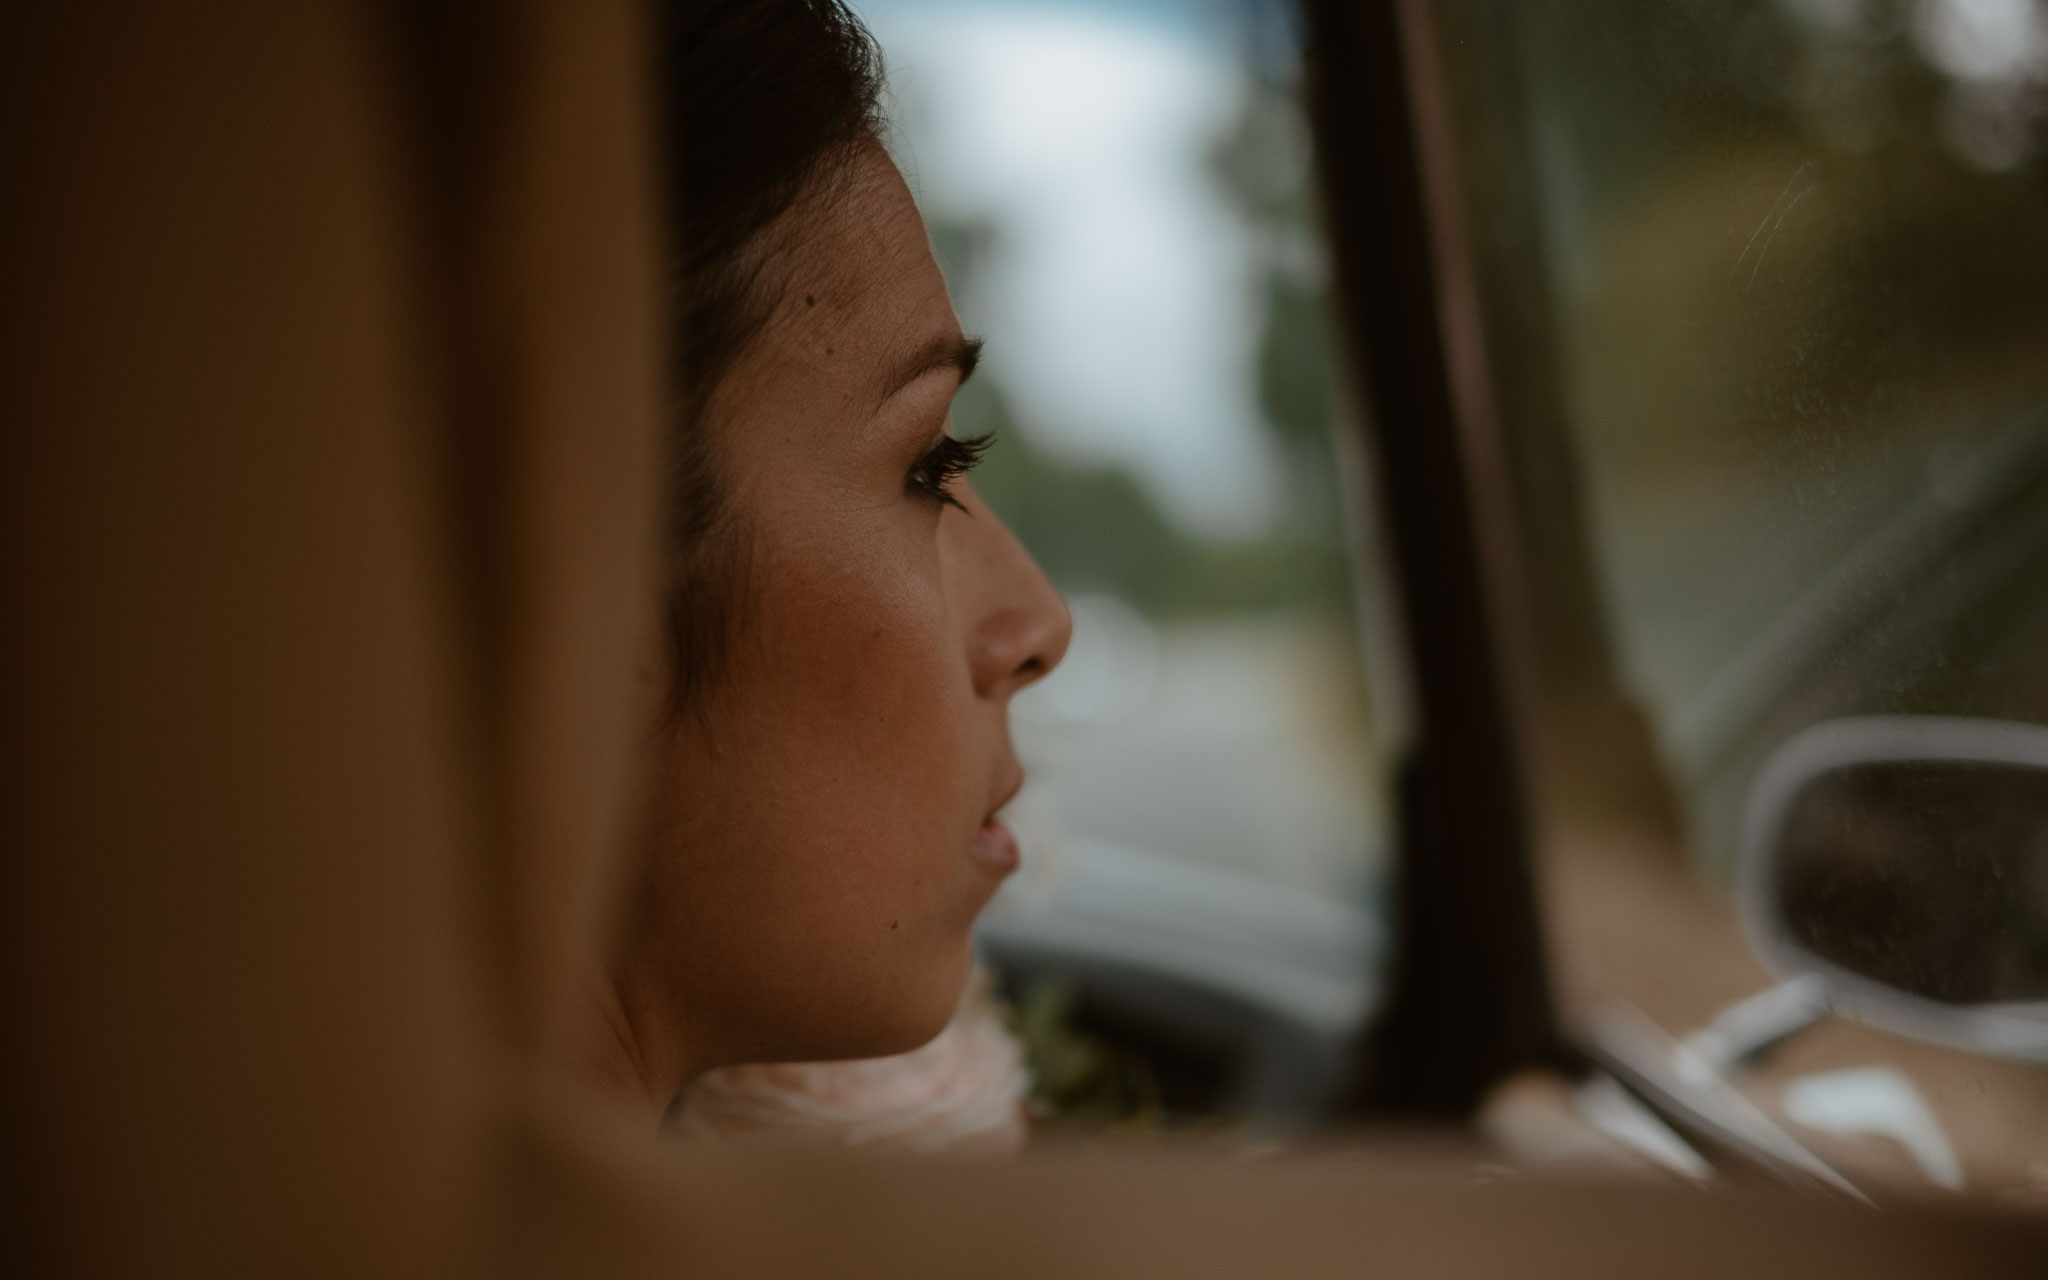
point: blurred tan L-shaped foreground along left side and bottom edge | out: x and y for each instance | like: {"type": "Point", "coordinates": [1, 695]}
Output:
{"type": "Point", "coordinates": [329, 384]}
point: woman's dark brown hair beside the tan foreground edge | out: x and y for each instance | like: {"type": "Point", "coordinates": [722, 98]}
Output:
{"type": "Point", "coordinates": [763, 103]}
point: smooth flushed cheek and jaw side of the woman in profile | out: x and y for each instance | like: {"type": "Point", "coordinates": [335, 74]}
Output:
{"type": "Point", "coordinates": [822, 851]}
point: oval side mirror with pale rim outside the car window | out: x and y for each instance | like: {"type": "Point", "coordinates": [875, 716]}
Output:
{"type": "Point", "coordinates": [1906, 863]}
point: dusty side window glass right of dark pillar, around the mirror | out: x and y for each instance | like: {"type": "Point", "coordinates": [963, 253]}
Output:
{"type": "Point", "coordinates": [1789, 265]}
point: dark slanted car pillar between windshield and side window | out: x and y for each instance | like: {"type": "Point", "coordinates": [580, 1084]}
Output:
{"type": "Point", "coordinates": [1469, 988]}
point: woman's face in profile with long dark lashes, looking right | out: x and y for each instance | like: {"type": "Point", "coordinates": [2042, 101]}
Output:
{"type": "Point", "coordinates": [822, 830]}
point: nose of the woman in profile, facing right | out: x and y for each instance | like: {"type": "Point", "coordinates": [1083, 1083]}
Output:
{"type": "Point", "coordinates": [1017, 622]}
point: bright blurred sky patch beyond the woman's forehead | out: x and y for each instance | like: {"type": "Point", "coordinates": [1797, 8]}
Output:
{"type": "Point", "coordinates": [1121, 298]}
